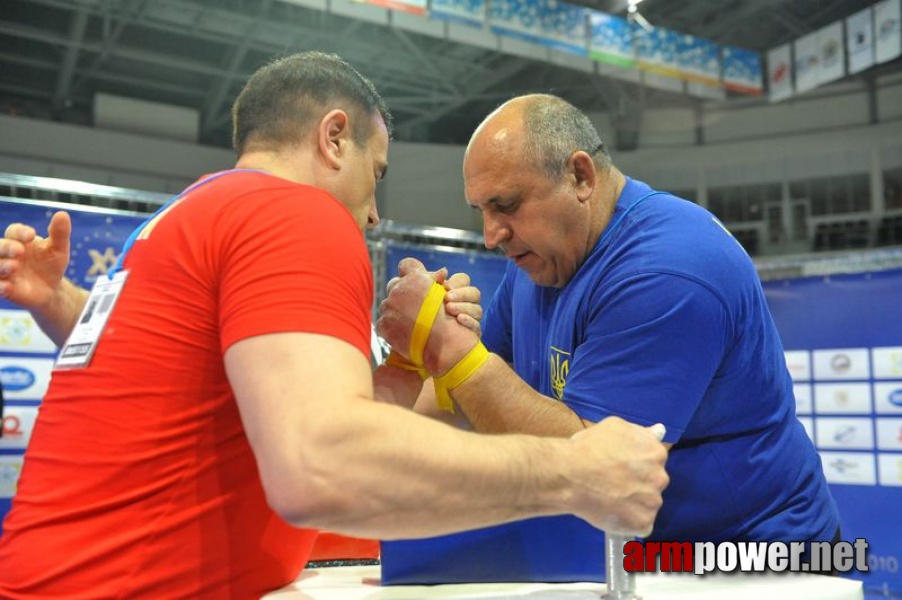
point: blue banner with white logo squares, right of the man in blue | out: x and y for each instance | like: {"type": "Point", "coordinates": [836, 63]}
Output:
{"type": "Point", "coordinates": [843, 340]}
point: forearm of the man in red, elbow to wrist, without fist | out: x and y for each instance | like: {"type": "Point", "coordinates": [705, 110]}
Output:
{"type": "Point", "coordinates": [384, 485]}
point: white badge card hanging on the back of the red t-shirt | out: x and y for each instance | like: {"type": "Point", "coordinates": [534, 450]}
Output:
{"type": "Point", "coordinates": [82, 342]}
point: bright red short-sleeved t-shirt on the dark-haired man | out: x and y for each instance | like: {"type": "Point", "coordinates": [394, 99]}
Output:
{"type": "Point", "coordinates": [139, 481]}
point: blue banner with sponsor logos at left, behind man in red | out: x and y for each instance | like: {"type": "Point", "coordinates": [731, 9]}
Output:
{"type": "Point", "coordinates": [26, 354]}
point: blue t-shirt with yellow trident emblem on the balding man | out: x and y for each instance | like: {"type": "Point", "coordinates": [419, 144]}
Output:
{"type": "Point", "coordinates": [666, 322]}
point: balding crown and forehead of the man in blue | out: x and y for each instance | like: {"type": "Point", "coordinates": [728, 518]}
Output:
{"type": "Point", "coordinates": [541, 130]}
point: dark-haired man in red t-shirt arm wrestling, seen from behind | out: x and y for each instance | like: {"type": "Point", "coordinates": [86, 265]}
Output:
{"type": "Point", "coordinates": [227, 411]}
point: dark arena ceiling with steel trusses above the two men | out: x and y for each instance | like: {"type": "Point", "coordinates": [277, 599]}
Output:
{"type": "Point", "coordinates": [55, 55]}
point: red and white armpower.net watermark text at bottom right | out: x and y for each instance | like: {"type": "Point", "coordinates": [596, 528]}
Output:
{"type": "Point", "coordinates": [746, 557]}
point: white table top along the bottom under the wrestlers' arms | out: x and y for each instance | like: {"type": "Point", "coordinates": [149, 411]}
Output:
{"type": "Point", "coordinates": [362, 583]}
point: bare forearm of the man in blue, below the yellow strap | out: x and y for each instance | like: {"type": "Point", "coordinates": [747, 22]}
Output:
{"type": "Point", "coordinates": [496, 400]}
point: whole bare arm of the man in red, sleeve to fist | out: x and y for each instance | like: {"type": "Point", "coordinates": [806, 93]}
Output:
{"type": "Point", "coordinates": [332, 458]}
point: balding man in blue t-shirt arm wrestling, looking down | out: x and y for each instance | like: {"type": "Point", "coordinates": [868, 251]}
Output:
{"type": "Point", "coordinates": [622, 300]}
